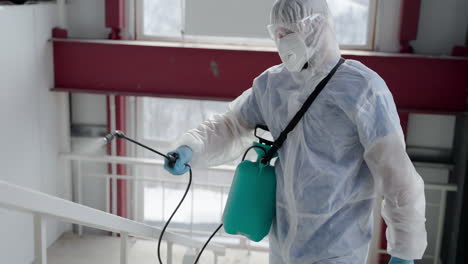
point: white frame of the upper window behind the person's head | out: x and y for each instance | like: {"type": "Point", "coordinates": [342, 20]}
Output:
{"type": "Point", "coordinates": [140, 35]}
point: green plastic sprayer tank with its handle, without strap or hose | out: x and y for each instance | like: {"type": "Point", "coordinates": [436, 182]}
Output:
{"type": "Point", "coordinates": [250, 207]}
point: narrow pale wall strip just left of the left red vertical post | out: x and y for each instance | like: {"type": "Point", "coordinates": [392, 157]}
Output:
{"type": "Point", "coordinates": [86, 19]}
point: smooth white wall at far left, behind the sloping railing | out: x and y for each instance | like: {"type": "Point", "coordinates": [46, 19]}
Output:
{"type": "Point", "coordinates": [29, 122]}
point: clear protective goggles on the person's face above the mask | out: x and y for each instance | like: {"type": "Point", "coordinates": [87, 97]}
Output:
{"type": "Point", "coordinates": [306, 25]}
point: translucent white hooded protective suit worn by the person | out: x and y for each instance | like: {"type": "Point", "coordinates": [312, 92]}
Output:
{"type": "Point", "coordinates": [348, 146]}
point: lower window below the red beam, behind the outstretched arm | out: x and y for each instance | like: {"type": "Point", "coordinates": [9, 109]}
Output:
{"type": "Point", "coordinates": [160, 121]}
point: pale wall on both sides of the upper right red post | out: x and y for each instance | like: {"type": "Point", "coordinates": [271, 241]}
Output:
{"type": "Point", "coordinates": [442, 25]}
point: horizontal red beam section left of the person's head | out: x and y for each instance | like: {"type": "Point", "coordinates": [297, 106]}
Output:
{"type": "Point", "coordinates": [158, 71]}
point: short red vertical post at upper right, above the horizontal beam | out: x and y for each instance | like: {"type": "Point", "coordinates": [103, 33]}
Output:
{"type": "Point", "coordinates": [409, 23]}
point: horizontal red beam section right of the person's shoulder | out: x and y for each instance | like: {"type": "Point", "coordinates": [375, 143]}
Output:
{"type": "Point", "coordinates": [423, 83]}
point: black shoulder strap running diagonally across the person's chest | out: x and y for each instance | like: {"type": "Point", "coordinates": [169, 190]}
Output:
{"type": "Point", "coordinates": [292, 124]}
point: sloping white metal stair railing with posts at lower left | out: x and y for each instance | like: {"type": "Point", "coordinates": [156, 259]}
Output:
{"type": "Point", "coordinates": [42, 205]}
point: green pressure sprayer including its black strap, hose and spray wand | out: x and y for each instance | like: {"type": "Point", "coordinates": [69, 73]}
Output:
{"type": "Point", "coordinates": [251, 205]}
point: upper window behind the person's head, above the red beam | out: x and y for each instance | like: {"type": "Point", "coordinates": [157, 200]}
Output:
{"type": "Point", "coordinates": [219, 21]}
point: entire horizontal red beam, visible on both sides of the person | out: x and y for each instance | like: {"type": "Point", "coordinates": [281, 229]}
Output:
{"type": "Point", "coordinates": [418, 83]}
